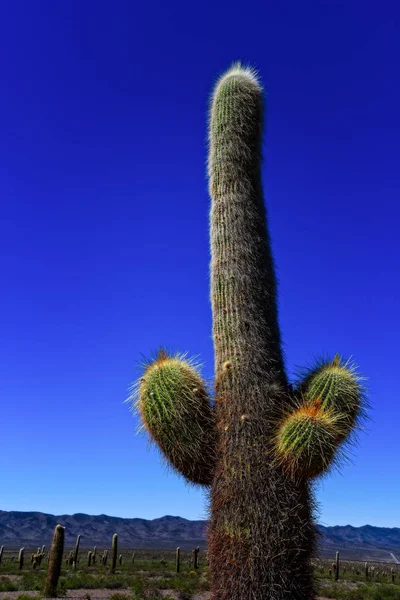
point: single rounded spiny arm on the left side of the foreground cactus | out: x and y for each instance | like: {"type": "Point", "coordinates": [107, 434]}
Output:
{"type": "Point", "coordinates": [175, 409]}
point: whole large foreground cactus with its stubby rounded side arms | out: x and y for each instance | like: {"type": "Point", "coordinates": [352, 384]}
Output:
{"type": "Point", "coordinates": [262, 442]}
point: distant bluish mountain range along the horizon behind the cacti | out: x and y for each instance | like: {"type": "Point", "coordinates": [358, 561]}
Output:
{"type": "Point", "coordinates": [32, 529]}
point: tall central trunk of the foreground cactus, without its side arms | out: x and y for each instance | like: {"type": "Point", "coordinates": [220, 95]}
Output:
{"type": "Point", "coordinates": [261, 533]}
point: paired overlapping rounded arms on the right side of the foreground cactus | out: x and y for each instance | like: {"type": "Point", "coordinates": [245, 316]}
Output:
{"type": "Point", "coordinates": [329, 408]}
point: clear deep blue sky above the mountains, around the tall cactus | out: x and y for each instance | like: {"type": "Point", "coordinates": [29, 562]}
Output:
{"type": "Point", "coordinates": [104, 250]}
